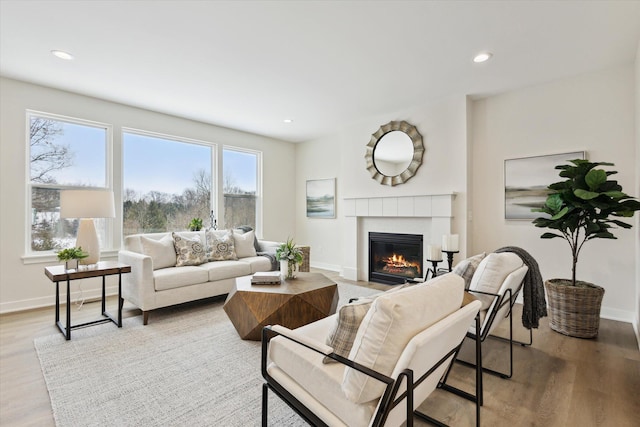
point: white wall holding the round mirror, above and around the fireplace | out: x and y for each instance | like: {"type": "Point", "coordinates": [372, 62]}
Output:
{"type": "Point", "coordinates": [341, 155]}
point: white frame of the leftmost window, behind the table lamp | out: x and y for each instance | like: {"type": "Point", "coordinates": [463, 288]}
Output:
{"type": "Point", "coordinates": [108, 244]}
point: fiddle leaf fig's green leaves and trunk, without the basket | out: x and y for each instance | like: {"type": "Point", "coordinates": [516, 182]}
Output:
{"type": "Point", "coordinates": [584, 206]}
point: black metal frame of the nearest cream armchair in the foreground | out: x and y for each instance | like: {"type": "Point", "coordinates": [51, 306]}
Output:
{"type": "Point", "coordinates": [390, 398]}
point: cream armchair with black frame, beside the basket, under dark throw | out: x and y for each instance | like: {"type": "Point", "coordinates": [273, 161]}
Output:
{"type": "Point", "coordinates": [497, 281]}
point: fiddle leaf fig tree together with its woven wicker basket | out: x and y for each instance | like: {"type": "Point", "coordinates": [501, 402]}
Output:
{"type": "Point", "coordinates": [581, 208]}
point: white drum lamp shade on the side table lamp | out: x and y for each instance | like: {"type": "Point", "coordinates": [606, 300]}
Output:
{"type": "Point", "coordinates": [87, 204]}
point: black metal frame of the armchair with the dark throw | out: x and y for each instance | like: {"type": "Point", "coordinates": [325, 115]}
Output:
{"type": "Point", "coordinates": [501, 301]}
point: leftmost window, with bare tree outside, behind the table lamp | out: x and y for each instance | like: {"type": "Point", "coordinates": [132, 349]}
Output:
{"type": "Point", "coordinates": [64, 153]}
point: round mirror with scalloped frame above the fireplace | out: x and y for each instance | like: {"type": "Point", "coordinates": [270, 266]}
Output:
{"type": "Point", "coordinates": [394, 153]}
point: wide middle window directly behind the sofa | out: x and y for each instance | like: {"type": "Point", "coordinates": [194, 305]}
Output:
{"type": "Point", "coordinates": [167, 182]}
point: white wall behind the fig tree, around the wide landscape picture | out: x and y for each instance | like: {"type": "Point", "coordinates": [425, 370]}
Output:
{"type": "Point", "coordinates": [592, 112]}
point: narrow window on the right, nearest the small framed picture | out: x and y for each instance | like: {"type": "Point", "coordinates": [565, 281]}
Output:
{"type": "Point", "coordinates": [240, 171]}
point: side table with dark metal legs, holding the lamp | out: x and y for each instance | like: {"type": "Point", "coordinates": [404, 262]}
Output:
{"type": "Point", "coordinates": [57, 274]}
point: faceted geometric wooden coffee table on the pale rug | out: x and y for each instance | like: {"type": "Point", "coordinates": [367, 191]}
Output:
{"type": "Point", "coordinates": [293, 303]}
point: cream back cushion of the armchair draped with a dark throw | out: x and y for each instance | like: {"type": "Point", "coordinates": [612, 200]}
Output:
{"type": "Point", "coordinates": [490, 274]}
